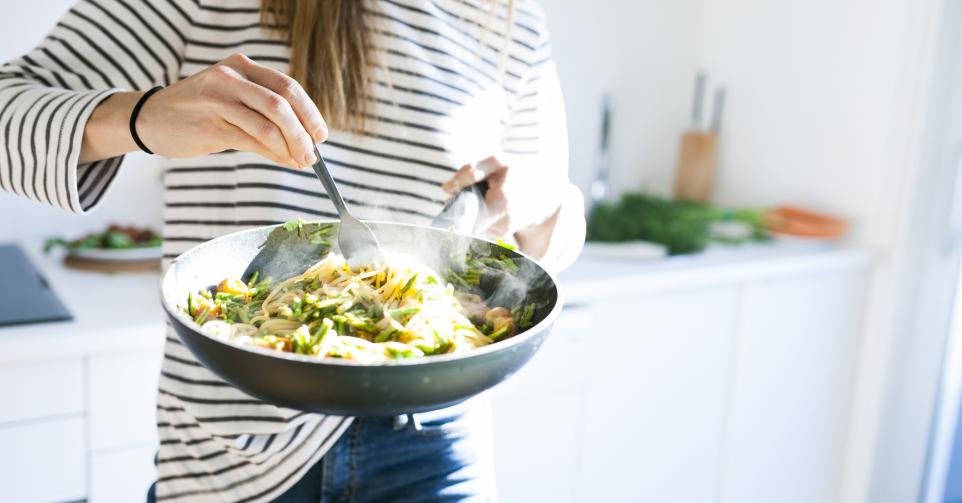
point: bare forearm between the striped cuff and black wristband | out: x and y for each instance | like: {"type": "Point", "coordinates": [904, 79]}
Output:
{"type": "Point", "coordinates": [107, 132]}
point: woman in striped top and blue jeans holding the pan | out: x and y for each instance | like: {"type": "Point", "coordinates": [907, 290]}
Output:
{"type": "Point", "coordinates": [413, 100]}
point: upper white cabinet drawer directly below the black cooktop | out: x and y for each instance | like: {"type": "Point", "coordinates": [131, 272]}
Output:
{"type": "Point", "coordinates": [41, 389]}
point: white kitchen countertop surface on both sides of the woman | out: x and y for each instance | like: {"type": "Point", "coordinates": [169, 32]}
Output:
{"type": "Point", "coordinates": [121, 312]}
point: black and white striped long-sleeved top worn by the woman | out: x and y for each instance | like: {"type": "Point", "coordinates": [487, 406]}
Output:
{"type": "Point", "coordinates": [448, 94]}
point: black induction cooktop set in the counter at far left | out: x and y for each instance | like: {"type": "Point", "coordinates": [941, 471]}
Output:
{"type": "Point", "coordinates": [25, 296]}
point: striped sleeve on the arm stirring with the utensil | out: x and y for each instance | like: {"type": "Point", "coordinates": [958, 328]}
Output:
{"type": "Point", "coordinates": [98, 48]}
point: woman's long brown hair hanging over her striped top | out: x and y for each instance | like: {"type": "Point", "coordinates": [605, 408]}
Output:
{"type": "Point", "coordinates": [331, 52]}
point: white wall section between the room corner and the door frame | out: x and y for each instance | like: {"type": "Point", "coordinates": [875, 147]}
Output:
{"type": "Point", "coordinates": [813, 89]}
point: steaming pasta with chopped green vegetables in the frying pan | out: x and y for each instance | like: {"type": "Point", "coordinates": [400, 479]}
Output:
{"type": "Point", "coordinates": [376, 313]}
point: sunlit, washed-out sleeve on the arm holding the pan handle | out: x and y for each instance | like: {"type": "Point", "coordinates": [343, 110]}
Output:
{"type": "Point", "coordinates": [536, 137]}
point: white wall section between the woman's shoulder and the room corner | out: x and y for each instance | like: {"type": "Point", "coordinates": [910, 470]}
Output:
{"type": "Point", "coordinates": [642, 52]}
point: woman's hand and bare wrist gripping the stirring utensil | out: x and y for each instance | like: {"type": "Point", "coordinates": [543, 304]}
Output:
{"type": "Point", "coordinates": [236, 104]}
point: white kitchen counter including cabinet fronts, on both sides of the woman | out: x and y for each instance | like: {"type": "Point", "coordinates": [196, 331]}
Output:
{"type": "Point", "coordinates": [720, 340]}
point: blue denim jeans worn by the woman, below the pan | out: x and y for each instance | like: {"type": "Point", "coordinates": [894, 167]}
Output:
{"type": "Point", "coordinates": [441, 456]}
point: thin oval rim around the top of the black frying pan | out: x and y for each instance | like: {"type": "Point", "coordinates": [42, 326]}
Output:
{"type": "Point", "coordinates": [548, 320]}
